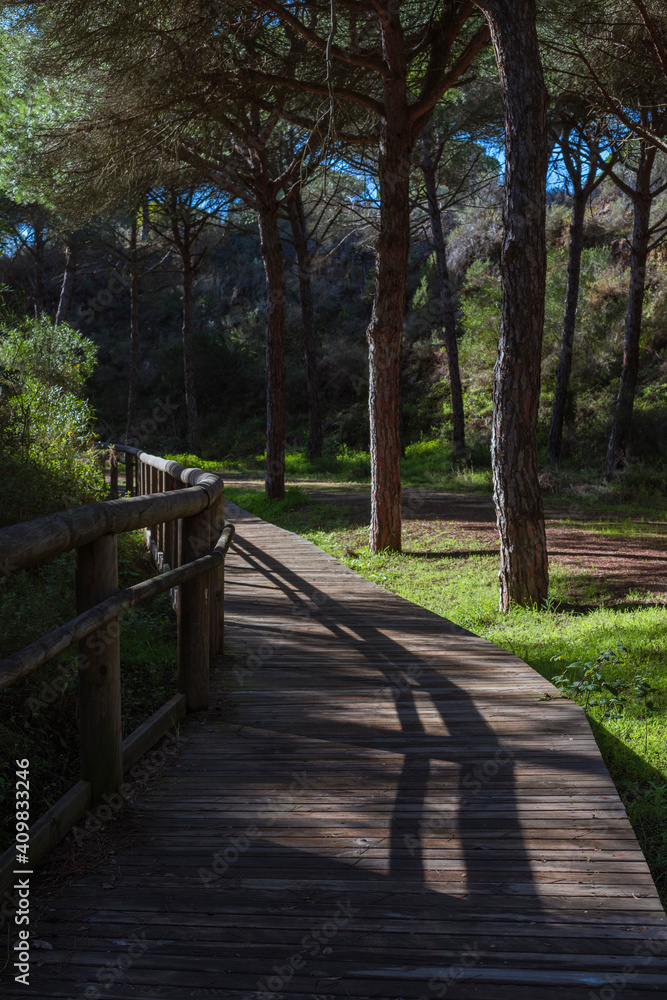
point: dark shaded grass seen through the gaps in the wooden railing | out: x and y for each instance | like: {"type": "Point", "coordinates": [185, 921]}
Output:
{"type": "Point", "coordinates": [39, 712]}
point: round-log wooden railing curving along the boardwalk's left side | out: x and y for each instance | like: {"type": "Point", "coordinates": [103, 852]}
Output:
{"type": "Point", "coordinates": [182, 511]}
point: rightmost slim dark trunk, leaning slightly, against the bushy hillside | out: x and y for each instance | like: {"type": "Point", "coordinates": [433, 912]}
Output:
{"type": "Point", "coordinates": [633, 319]}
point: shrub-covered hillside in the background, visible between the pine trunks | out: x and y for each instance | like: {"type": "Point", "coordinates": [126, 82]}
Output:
{"type": "Point", "coordinates": [229, 341]}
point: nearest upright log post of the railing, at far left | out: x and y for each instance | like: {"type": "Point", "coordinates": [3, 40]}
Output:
{"type": "Point", "coordinates": [99, 671]}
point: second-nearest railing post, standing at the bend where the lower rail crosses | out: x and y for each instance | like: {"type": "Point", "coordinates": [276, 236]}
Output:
{"type": "Point", "coordinates": [193, 615]}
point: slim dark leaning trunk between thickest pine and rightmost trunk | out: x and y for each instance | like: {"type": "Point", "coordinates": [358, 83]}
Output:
{"type": "Point", "coordinates": [569, 320]}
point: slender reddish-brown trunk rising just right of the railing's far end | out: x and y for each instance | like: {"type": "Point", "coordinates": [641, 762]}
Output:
{"type": "Point", "coordinates": [272, 256]}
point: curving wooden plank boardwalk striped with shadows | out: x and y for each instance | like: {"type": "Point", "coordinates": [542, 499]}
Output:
{"type": "Point", "coordinates": [388, 812]}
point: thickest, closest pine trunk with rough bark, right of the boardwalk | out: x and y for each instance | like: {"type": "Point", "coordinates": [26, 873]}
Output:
{"type": "Point", "coordinates": [524, 576]}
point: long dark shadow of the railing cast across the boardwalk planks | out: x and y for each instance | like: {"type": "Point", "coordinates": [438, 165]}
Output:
{"type": "Point", "coordinates": [486, 767]}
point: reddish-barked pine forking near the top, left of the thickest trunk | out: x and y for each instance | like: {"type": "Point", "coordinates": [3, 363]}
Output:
{"type": "Point", "coordinates": [402, 121]}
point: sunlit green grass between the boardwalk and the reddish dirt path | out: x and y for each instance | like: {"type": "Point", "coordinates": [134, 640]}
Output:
{"type": "Point", "coordinates": [452, 573]}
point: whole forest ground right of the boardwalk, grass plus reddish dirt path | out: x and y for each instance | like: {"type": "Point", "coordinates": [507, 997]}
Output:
{"type": "Point", "coordinates": [607, 610]}
